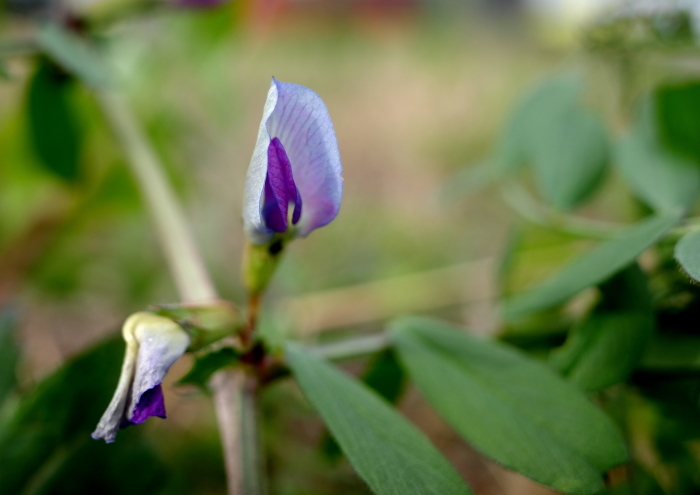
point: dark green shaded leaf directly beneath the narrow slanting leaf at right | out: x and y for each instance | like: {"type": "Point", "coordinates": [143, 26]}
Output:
{"type": "Point", "coordinates": [604, 348]}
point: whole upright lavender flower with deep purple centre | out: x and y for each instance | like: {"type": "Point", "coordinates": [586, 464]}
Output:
{"type": "Point", "coordinates": [294, 182]}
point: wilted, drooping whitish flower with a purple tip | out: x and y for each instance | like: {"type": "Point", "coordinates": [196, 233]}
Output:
{"type": "Point", "coordinates": [153, 344]}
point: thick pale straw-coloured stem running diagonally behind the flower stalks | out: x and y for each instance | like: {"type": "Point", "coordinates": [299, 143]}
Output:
{"type": "Point", "coordinates": [233, 396]}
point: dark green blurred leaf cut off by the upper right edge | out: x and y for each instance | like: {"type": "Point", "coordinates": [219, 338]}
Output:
{"type": "Point", "coordinates": [677, 108]}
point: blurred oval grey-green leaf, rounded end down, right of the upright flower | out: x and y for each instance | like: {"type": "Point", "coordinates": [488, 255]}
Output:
{"type": "Point", "coordinates": [570, 158]}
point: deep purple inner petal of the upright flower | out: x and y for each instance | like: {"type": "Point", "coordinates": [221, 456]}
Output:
{"type": "Point", "coordinates": [280, 189]}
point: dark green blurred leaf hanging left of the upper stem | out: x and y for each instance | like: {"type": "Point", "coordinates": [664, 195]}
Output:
{"type": "Point", "coordinates": [53, 127]}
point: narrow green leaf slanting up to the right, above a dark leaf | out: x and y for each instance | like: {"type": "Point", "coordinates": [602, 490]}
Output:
{"type": "Point", "coordinates": [592, 268]}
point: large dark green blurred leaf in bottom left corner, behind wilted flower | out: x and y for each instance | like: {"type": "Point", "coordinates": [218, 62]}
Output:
{"type": "Point", "coordinates": [45, 446]}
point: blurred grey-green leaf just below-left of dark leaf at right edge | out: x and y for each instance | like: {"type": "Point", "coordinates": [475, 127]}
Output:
{"type": "Point", "coordinates": [661, 179]}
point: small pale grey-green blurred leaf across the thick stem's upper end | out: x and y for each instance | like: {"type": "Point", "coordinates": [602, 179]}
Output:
{"type": "Point", "coordinates": [73, 53]}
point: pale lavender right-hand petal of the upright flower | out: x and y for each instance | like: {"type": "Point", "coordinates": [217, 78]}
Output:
{"type": "Point", "coordinates": [301, 122]}
